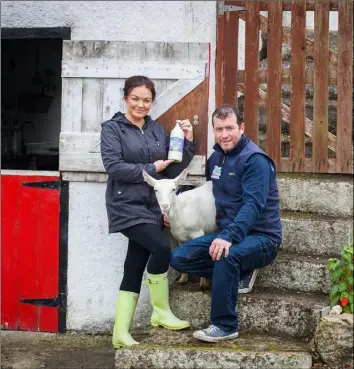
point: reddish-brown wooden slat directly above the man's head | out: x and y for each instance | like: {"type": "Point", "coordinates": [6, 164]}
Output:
{"type": "Point", "coordinates": [231, 57]}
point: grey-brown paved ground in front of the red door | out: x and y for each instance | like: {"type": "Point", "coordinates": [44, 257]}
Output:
{"type": "Point", "coordinates": [30, 350]}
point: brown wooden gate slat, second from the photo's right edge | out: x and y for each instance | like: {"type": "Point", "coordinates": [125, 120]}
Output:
{"type": "Point", "coordinates": [320, 100]}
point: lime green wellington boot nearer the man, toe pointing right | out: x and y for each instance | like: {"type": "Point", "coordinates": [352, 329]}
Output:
{"type": "Point", "coordinates": [162, 314]}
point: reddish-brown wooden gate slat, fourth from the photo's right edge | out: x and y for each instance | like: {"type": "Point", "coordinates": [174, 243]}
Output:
{"type": "Point", "coordinates": [274, 78]}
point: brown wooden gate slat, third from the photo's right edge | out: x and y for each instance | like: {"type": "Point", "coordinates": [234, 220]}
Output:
{"type": "Point", "coordinates": [297, 99]}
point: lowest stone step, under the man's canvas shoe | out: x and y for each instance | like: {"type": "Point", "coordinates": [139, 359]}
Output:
{"type": "Point", "coordinates": [250, 346]}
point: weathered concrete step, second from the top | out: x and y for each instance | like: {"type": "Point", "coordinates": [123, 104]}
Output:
{"type": "Point", "coordinates": [314, 234]}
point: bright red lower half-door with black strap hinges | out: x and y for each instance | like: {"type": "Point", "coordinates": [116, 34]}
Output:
{"type": "Point", "coordinates": [30, 207]}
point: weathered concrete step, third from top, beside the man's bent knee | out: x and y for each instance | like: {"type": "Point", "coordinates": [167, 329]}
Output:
{"type": "Point", "coordinates": [294, 272]}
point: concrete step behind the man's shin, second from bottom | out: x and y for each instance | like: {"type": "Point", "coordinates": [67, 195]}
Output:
{"type": "Point", "coordinates": [269, 311]}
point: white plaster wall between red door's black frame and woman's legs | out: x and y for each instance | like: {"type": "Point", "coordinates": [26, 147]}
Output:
{"type": "Point", "coordinates": [95, 260]}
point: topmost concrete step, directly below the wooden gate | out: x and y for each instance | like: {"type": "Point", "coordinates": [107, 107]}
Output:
{"type": "Point", "coordinates": [316, 193]}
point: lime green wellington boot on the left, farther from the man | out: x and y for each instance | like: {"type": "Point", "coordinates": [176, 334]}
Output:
{"type": "Point", "coordinates": [126, 304]}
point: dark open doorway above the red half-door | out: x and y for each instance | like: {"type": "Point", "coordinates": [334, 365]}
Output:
{"type": "Point", "coordinates": [31, 99]}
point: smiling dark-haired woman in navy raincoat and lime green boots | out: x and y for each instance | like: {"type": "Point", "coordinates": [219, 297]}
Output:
{"type": "Point", "coordinates": [132, 142]}
